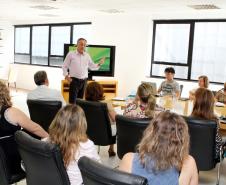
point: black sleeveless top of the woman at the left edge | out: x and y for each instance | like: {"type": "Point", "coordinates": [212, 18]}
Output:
{"type": "Point", "coordinates": [6, 128]}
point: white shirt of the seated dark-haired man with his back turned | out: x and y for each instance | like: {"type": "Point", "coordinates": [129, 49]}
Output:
{"type": "Point", "coordinates": [43, 92]}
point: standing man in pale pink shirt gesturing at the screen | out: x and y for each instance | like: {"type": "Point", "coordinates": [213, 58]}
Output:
{"type": "Point", "coordinates": [75, 69]}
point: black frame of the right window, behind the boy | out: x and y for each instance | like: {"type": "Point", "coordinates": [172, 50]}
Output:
{"type": "Point", "coordinates": [191, 22]}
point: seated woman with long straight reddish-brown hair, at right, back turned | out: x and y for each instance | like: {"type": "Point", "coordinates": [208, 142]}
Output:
{"type": "Point", "coordinates": [204, 108]}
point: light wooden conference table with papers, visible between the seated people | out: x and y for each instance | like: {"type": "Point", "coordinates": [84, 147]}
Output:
{"type": "Point", "coordinates": [182, 107]}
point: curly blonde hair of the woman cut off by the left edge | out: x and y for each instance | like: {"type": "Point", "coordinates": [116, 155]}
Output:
{"type": "Point", "coordinates": [5, 99]}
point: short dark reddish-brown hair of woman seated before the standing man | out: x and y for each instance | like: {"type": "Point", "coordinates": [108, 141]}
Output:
{"type": "Point", "coordinates": [94, 92]}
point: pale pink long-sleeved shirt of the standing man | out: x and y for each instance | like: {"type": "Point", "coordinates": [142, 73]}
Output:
{"type": "Point", "coordinates": [78, 64]}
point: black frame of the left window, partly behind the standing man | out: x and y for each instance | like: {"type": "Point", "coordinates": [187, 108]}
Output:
{"type": "Point", "coordinates": [49, 40]}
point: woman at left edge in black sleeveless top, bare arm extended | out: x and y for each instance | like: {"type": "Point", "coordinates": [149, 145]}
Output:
{"type": "Point", "coordinates": [13, 119]}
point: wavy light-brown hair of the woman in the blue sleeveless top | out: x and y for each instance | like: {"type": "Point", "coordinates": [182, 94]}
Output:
{"type": "Point", "coordinates": [165, 141]}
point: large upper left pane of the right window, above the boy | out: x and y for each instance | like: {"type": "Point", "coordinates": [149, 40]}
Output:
{"type": "Point", "coordinates": [171, 43]}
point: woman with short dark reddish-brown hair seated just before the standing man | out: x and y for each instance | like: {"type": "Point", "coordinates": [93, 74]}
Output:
{"type": "Point", "coordinates": [94, 92]}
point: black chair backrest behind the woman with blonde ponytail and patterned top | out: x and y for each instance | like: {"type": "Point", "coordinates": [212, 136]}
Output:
{"type": "Point", "coordinates": [129, 133]}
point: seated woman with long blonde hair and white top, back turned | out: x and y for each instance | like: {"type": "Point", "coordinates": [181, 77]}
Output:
{"type": "Point", "coordinates": [68, 131]}
